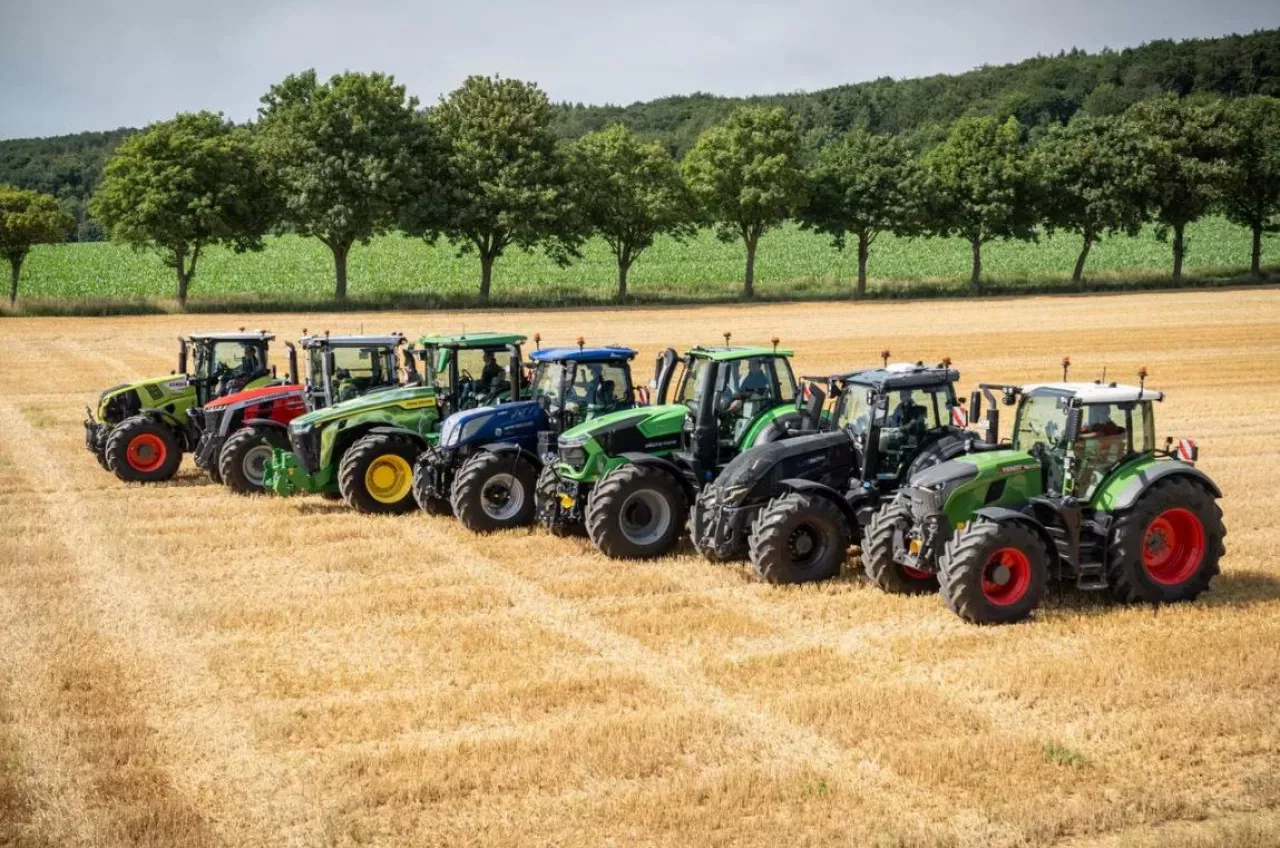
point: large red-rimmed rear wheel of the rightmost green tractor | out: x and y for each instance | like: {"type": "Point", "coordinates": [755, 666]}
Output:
{"type": "Point", "coordinates": [1167, 549]}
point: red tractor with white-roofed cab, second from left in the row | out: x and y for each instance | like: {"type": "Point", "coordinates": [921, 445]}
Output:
{"type": "Point", "coordinates": [240, 431]}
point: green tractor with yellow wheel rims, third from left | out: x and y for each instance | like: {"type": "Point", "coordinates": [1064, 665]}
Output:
{"type": "Point", "coordinates": [364, 450]}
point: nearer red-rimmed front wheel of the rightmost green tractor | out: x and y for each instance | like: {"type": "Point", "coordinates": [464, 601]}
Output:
{"type": "Point", "coordinates": [994, 573]}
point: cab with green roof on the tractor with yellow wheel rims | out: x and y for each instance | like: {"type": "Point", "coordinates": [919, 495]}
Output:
{"type": "Point", "coordinates": [473, 370]}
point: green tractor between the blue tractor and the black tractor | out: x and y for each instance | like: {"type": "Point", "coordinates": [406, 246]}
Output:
{"type": "Point", "coordinates": [630, 477]}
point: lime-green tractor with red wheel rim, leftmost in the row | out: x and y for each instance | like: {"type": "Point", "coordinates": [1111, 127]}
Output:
{"type": "Point", "coordinates": [143, 430]}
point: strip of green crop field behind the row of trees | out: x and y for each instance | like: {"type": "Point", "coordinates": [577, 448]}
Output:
{"type": "Point", "coordinates": [792, 263]}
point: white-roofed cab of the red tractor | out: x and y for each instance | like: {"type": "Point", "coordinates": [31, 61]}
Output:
{"type": "Point", "coordinates": [345, 367]}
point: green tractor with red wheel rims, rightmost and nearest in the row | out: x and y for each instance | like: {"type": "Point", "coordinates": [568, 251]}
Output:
{"type": "Point", "coordinates": [1082, 494]}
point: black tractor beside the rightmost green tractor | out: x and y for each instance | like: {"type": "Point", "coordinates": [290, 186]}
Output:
{"type": "Point", "coordinates": [798, 505]}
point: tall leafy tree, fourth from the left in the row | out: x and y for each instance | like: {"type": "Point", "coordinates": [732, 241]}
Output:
{"type": "Point", "coordinates": [506, 183]}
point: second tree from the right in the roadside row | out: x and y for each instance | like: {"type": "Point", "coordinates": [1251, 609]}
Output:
{"type": "Point", "coordinates": [1185, 170]}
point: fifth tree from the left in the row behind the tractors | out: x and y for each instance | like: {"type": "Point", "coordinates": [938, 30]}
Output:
{"type": "Point", "coordinates": [629, 193]}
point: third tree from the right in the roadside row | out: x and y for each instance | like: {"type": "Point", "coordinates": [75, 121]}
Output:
{"type": "Point", "coordinates": [1091, 177]}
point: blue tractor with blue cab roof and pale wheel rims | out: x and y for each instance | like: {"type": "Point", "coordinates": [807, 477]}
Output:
{"type": "Point", "coordinates": [490, 462]}
